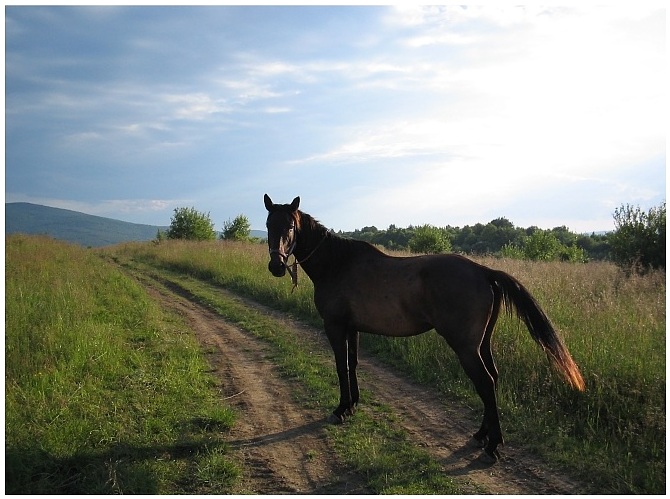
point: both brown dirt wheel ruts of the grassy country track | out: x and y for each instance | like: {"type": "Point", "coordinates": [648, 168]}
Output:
{"type": "Point", "coordinates": [283, 446]}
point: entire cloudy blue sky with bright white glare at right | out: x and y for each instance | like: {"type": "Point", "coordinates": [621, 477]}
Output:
{"type": "Point", "coordinates": [373, 115]}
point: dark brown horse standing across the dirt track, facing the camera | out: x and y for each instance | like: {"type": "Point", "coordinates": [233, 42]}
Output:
{"type": "Point", "coordinates": [359, 288]}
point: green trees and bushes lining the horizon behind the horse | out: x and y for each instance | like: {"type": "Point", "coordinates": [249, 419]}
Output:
{"type": "Point", "coordinates": [638, 241]}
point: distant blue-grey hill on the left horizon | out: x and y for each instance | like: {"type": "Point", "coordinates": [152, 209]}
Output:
{"type": "Point", "coordinates": [73, 226]}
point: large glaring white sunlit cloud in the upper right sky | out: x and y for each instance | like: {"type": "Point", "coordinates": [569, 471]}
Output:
{"type": "Point", "coordinates": [576, 98]}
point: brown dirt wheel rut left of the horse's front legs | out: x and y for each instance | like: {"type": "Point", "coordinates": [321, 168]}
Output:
{"type": "Point", "coordinates": [282, 446]}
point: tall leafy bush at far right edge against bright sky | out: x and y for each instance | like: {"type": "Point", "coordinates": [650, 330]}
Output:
{"type": "Point", "coordinates": [639, 237]}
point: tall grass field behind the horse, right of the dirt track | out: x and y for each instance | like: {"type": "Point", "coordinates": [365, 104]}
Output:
{"type": "Point", "coordinates": [613, 435]}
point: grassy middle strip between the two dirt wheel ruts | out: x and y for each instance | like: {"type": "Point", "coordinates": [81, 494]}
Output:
{"type": "Point", "coordinates": [381, 451]}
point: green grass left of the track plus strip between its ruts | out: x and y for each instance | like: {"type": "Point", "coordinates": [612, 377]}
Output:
{"type": "Point", "coordinates": [106, 393]}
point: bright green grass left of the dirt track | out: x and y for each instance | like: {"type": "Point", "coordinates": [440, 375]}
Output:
{"type": "Point", "coordinates": [104, 392]}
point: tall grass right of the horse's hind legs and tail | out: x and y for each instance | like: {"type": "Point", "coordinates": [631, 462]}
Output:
{"type": "Point", "coordinates": [615, 328]}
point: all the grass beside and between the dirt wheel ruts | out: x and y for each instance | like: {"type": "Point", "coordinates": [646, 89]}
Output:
{"type": "Point", "coordinates": [95, 372]}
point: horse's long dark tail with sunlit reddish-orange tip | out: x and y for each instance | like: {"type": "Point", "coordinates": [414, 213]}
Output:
{"type": "Point", "coordinates": [516, 296]}
